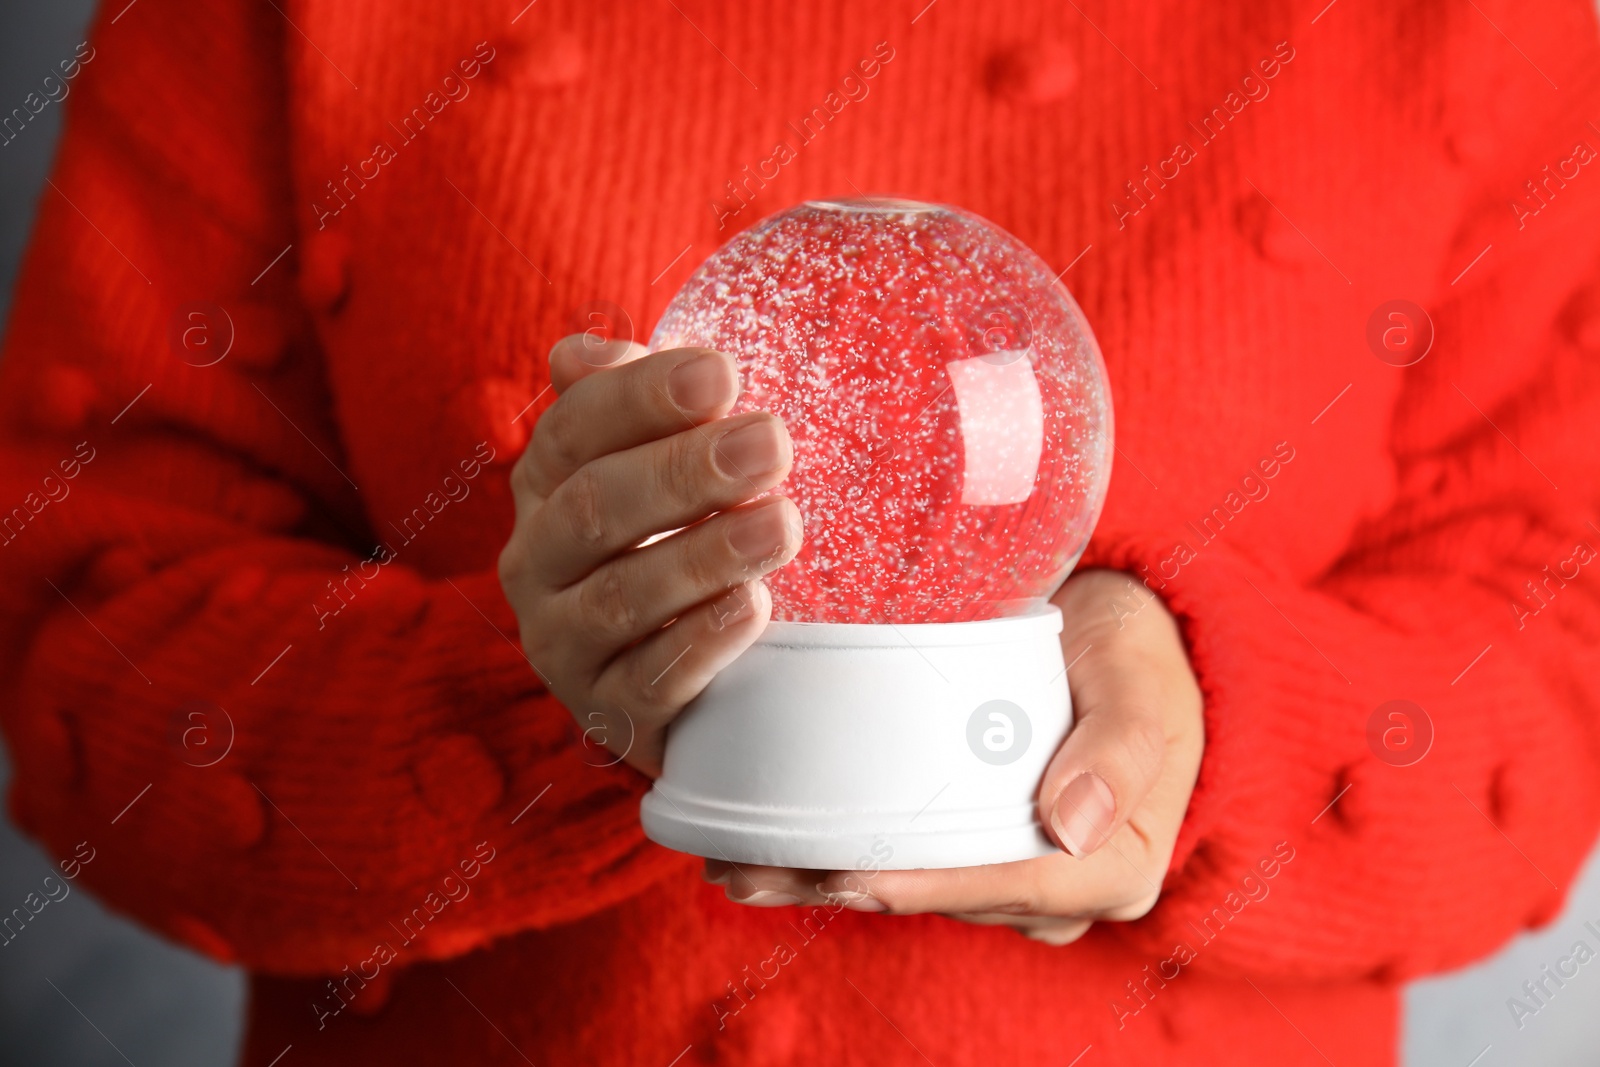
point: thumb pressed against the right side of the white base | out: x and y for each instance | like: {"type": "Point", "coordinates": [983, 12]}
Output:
{"type": "Point", "coordinates": [1113, 757]}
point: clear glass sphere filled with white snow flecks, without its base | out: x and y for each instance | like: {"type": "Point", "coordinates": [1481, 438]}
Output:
{"type": "Point", "coordinates": [951, 420]}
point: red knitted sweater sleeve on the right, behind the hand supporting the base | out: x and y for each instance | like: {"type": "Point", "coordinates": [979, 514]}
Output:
{"type": "Point", "coordinates": [1420, 842]}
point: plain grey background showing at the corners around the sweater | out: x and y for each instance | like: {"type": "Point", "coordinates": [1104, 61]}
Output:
{"type": "Point", "coordinates": [156, 1004]}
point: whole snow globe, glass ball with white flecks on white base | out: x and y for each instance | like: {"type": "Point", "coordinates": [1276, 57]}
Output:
{"type": "Point", "coordinates": [953, 439]}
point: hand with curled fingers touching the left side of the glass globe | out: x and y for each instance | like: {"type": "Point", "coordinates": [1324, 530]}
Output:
{"type": "Point", "coordinates": [636, 446]}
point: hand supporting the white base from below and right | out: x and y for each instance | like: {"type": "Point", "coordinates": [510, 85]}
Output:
{"type": "Point", "coordinates": [1113, 797]}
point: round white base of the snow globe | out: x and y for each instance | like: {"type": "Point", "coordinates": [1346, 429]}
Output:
{"type": "Point", "coordinates": [847, 746]}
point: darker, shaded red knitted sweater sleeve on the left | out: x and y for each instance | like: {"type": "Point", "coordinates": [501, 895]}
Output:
{"type": "Point", "coordinates": [247, 775]}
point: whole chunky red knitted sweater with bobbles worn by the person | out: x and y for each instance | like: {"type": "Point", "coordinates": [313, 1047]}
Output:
{"type": "Point", "coordinates": [255, 650]}
